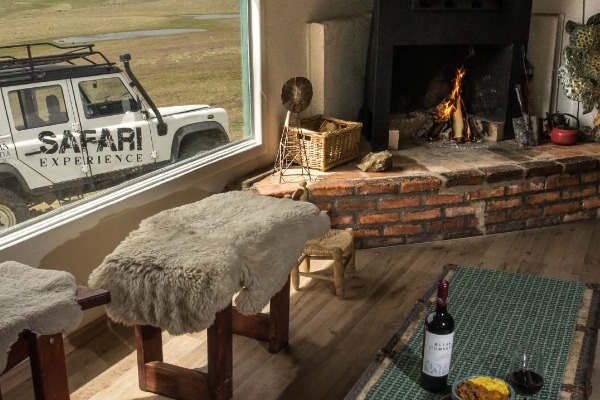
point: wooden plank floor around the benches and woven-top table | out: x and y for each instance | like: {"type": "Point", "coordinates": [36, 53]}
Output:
{"type": "Point", "coordinates": [333, 341]}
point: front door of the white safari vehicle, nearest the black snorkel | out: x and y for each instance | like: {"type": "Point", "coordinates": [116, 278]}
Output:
{"type": "Point", "coordinates": [114, 134]}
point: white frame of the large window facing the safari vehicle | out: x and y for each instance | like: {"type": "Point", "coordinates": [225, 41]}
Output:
{"type": "Point", "coordinates": [214, 165]}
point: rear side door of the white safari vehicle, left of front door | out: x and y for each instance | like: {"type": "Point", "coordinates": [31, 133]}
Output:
{"type": "Point", "coordinates": [40, 119]}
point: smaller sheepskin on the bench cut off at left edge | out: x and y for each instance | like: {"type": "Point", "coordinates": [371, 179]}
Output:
{"type": "Point", "coordinates": [39, 300]}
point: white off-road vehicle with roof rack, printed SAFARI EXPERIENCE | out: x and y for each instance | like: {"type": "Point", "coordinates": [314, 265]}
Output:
{"type": "Point", "coordinates": [71, 123]}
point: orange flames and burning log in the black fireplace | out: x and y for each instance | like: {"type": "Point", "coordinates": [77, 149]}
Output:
{"type": "Point", "coordinates": [451, 110]}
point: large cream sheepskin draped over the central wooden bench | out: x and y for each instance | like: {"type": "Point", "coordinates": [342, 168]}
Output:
{"type": "Point", "coordinates": [183, 265]}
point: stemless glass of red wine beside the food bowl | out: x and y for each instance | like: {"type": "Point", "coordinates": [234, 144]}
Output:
{"type": "Point", "coordinates": [526, 372]}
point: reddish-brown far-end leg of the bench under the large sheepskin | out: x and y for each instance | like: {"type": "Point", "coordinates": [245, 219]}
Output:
{"type": "Point", "coordinates": [272, 327]}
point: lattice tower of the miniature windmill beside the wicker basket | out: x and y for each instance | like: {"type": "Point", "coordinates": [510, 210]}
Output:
{"type": "Point", "coordinates": [291, 150]}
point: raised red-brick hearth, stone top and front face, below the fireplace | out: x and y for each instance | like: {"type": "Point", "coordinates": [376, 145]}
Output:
{"type": "Point", "coordinates": [438, 192]}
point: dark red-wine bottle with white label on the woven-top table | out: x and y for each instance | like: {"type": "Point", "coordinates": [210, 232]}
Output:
{"type": "Point", "coordinates": [437, 343]}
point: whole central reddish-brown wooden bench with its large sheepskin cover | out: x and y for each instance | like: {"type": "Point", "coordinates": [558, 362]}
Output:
{"type": "Point", "coordinates": [180, 270]}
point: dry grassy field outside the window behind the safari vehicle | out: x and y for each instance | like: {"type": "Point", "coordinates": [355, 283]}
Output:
{"type": "Point", "coordinates": [196, 68]}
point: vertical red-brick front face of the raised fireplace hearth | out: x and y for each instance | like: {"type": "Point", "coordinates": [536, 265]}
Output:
{"type": "Point", "coordinates": [401, 210]}
